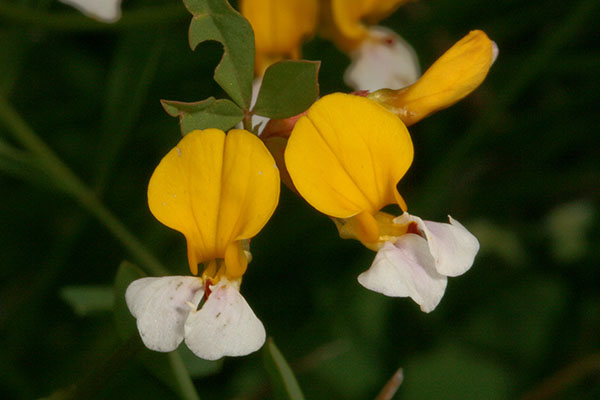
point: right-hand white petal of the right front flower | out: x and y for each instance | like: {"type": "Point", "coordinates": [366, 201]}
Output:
{"type": "Point", "coordinates": [452, 246]}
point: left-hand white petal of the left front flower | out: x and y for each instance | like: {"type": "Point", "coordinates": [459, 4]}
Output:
{"type": "Point", "coordinates": [161, 307]}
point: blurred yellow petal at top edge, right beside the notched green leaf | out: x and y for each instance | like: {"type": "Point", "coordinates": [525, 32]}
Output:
{"type": "Point", "coordinates": [279, 28]}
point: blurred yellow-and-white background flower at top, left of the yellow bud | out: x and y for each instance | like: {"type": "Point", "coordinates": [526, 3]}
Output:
{"type": "Point", "coordinates": [380, 57]}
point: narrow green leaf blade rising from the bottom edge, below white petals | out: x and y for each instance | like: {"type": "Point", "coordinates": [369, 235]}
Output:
{"type": "Point", "coordinates": [285, 386]}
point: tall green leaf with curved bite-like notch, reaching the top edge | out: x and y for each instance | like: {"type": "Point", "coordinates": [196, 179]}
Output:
{"type": "Point", "coordinates": [217, 20]}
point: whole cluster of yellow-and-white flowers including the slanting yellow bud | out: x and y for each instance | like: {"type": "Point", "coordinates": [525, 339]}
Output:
{"type": "Point", "coordinates": [345, 156]}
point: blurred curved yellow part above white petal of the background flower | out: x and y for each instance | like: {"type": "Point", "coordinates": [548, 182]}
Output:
{"type": "Point", "coordinates": [342, 20]}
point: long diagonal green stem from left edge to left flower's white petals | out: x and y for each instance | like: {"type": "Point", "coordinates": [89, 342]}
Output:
{"type": "Point", "coordinates": [65, 178]}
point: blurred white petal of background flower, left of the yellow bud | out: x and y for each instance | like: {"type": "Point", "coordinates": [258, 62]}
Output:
{"type": "Point", "coordinates": [384, 60]}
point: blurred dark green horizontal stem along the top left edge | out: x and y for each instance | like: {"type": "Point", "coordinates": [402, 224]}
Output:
{"type": "Point", "coordinates": [73, 21]}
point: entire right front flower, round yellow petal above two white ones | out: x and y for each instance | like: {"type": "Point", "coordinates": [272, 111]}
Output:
{"type": "Point", "coordinates": [345, 157]}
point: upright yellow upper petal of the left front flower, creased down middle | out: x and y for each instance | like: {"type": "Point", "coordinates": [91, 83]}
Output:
{"type": "Point", "coordinates": [216, 189]}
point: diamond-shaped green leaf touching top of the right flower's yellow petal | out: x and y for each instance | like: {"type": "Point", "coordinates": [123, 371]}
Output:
{"type": "Point", "coordinates": [288, 88]}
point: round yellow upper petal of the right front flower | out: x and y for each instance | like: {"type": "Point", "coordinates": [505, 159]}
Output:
{"type": "Point", "coordinates": [347, 155]}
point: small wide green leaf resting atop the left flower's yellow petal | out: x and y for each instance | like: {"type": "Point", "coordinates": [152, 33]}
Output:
{"type": "Point", "coordinates": [210, 113]}
